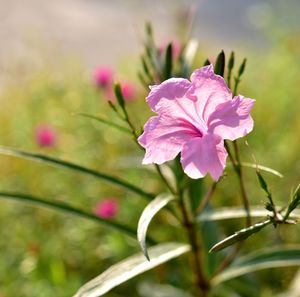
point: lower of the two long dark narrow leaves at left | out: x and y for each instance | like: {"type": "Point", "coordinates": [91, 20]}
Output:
{"type": "Point", "coordinates": [65, 208]}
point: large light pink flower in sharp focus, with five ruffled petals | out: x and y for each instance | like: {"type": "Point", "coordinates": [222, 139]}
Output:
{"type": "Point", "coordinates": [194, 117]}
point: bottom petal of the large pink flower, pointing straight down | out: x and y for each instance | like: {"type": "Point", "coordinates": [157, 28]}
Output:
{"type": "Point", "coordinates": [202, 155]}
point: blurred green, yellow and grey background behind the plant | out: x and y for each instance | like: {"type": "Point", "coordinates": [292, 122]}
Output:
{"type": "Point", "coordinates": [49, 57]}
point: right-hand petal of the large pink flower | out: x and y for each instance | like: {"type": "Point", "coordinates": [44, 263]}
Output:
{"type": "Point", "coordinates": [232, 120]}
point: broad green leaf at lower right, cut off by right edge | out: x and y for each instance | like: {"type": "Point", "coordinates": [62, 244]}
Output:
{"type": "Point", "coordinates": [262, 259]}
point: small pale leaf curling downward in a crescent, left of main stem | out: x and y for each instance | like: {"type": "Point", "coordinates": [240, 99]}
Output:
{"type": "Point", "coordinates": [149, 212]}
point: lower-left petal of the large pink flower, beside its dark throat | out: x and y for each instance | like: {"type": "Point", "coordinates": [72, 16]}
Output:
{"type": "Point", "coordinates": [164, 137]}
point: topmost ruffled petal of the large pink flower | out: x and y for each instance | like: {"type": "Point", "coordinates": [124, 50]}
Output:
{"type": "Point", "coordinates": [208, 90]}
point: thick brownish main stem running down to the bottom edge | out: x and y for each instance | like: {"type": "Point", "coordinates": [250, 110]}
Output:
{"type": "Point", "coordinates": [197, 264]}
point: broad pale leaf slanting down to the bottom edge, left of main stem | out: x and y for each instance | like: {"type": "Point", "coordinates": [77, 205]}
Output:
{"type": "Point", "coordinates": [131, 267]}
